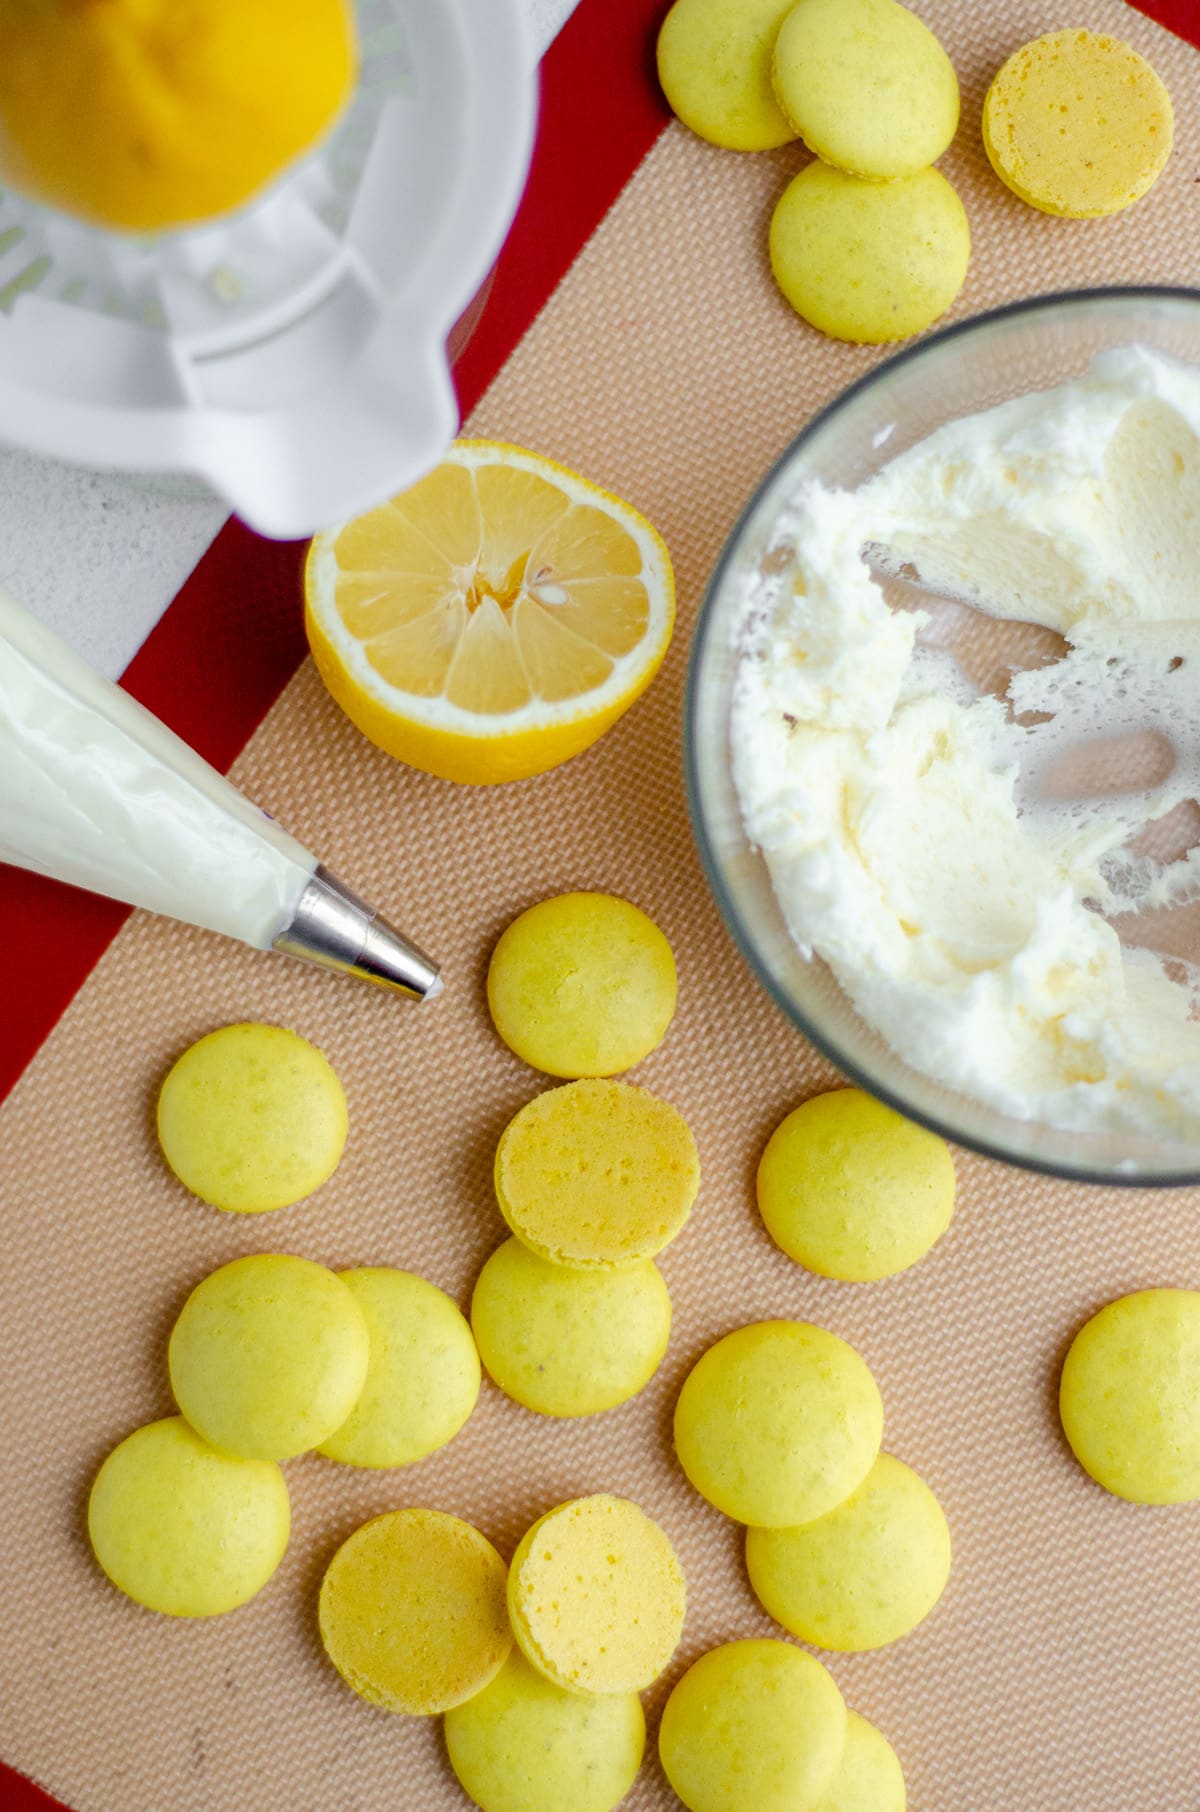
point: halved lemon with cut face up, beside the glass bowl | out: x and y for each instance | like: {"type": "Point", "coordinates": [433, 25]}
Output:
{"type": "Point", "coordinates": [494, 621]}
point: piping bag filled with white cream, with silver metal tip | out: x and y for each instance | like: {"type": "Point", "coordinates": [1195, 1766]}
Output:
{"type": "Point", "coordinates": [99, 793]}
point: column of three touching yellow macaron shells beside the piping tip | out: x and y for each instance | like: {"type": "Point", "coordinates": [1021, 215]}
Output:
{"type": "Point", "coordinates": [595, 1177]}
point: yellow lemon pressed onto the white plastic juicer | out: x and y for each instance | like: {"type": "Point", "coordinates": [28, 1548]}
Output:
{"type": "Point", "coordinates": [142, 115]}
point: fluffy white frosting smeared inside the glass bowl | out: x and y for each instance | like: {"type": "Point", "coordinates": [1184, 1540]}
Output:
{"type": "Point", "coordinates": [969, 862]}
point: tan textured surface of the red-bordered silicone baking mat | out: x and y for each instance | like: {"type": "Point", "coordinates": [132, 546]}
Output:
{"type": "Point", "coordinates": [1063, 1666]}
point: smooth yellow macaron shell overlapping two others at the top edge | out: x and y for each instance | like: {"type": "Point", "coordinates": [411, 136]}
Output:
{"type": "Point", "coordinates": [867, 86]}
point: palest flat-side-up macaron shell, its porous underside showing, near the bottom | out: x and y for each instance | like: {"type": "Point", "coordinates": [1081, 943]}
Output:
{"type": "Point", "coordinates": [595, 1597]}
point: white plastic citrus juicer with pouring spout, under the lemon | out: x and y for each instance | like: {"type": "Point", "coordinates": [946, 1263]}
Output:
{"type": "Point", "coordinates": [293, 356]}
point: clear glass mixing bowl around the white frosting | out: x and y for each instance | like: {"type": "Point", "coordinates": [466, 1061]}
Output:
{"type": "Point", "coordinates": [962, 371]}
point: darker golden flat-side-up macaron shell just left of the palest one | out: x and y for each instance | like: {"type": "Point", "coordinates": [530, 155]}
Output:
{"type": "Point", "coordinates": [412, 1612]}
